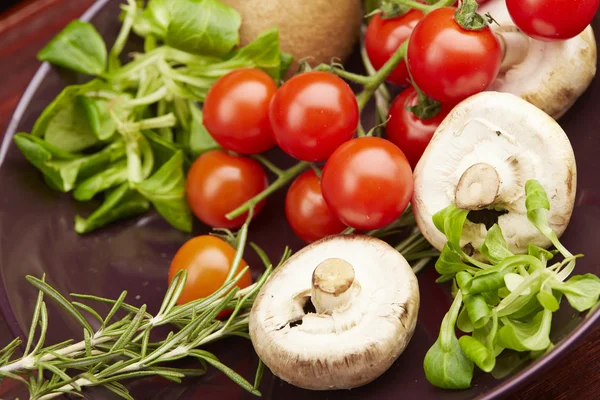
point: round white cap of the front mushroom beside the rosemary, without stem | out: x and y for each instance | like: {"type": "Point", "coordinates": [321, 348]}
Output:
{"type": "Point", "coordinates": [345, 349]}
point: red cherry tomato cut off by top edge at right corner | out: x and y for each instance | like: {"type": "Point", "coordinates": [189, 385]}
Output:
{"type": "Point", "coordinates": [552, 19]}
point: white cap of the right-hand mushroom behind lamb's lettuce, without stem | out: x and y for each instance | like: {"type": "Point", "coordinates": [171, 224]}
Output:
{"type": "Point", "coordinates": [521, 142]}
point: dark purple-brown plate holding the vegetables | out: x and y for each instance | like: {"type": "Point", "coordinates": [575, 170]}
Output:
{"type": "Point", "coordinates": [37, 236]}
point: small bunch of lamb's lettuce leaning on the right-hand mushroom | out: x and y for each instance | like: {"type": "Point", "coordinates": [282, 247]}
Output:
{"type": "Point", "coordinates": [503, 303]}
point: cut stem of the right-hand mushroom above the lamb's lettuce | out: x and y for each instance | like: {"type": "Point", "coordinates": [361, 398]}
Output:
{"type": "Point", "coordinates": [478, 187]}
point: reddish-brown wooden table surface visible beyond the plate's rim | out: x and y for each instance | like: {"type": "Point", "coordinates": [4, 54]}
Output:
{"type": "Point", "coordinates": [27, 28]}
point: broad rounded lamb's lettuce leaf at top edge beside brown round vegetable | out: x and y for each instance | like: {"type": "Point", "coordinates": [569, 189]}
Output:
{"type": "Point", "coordinates": [206, 27]}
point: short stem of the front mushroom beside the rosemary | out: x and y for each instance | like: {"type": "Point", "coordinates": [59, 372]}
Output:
{"type": "Point", "coordinates": [332, 281]}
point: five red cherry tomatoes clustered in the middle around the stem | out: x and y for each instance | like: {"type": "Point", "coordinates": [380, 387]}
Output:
{"type": "Point", "coordinates": [366, 183]}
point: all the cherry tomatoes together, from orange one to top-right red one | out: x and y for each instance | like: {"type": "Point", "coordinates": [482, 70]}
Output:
{"type": "Point", "coordinates": [366, 182]}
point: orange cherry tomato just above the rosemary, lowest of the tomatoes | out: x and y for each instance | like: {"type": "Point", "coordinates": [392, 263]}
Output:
{"type": "Point", "coordinates": [207, 260]}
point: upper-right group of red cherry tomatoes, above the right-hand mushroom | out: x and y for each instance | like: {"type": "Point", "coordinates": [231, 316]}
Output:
{"type": "Point", "coordinates": [449, 63]}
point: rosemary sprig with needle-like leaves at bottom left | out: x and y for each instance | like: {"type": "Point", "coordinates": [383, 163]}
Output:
{"type": "Point", "coordinates": [120, 348]}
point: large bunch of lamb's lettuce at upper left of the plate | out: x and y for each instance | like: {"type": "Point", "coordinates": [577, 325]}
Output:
{"type": "Point", "coordinates": [128, 135]}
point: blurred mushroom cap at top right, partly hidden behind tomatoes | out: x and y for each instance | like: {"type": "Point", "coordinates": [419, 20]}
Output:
{"type": "Point", "coordinates": [553, 74]}
